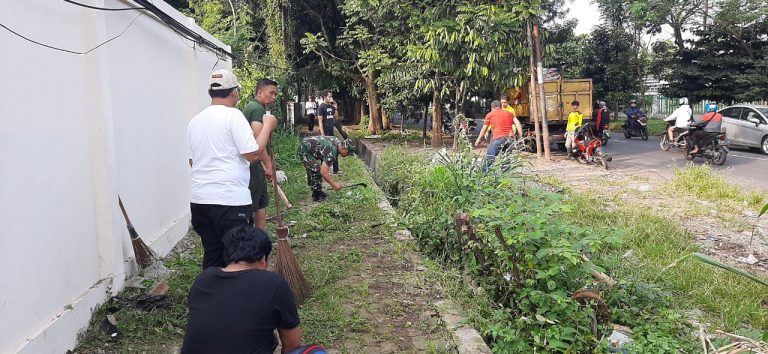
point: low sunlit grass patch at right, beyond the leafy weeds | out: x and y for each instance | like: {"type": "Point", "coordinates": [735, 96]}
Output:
{"type": "Point", "coordinates": [728, 301]}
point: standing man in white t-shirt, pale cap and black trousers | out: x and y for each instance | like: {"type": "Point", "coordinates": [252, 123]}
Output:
{"type": "Point", "coordinates": [222, 146]}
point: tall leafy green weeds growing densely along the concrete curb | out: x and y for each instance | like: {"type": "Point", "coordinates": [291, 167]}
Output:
{"type": "Point", "coordinates": [528, 264]}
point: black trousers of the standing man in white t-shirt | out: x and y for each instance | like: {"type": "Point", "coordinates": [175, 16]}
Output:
{"type": "Point", "coordinates": [212, 222]}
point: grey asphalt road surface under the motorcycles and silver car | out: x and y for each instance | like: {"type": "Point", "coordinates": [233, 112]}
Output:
{"type": "Point", "coordinates": [744, 166]}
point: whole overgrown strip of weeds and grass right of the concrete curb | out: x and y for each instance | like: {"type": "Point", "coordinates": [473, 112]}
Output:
{"type": "Point", "coordinates": [517, 274]}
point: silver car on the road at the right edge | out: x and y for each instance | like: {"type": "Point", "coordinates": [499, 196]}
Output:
{"type": "Point", "coordinates": [747, 125]}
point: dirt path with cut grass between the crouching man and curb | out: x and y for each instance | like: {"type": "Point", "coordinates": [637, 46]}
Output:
{"type": "Point", "coordinates": [386, 298]}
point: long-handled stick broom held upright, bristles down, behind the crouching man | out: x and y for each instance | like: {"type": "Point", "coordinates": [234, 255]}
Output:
{"type": "Point", "coordinates": [287, 265]}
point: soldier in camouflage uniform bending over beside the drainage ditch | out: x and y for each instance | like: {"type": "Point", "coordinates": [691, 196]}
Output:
{"type": "Point", "coordinates": [317, 153]}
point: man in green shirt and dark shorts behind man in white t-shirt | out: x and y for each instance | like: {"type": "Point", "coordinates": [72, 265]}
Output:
{"type": "Point", "coordinates": [254, 111]}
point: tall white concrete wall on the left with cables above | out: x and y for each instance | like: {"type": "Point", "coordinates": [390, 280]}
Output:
{"type": "Point", "coordinates": [76, 130]}
